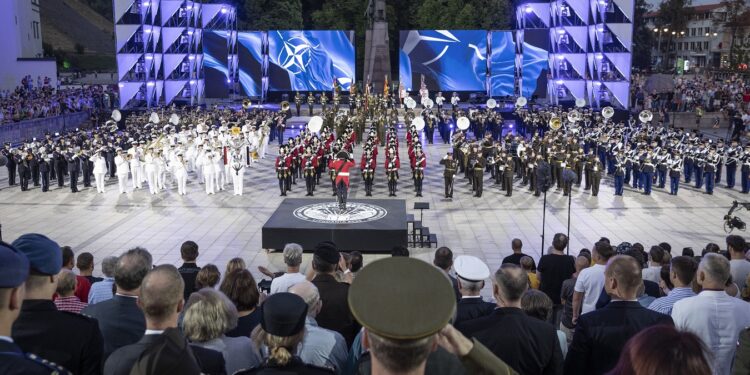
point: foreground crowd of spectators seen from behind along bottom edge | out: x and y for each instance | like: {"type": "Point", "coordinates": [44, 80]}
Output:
{"type": "Point", "coordinates": [609, 310]}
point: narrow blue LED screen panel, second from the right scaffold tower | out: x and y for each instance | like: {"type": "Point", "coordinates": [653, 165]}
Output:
{"type": "Point", "coordinates": [502, 63]}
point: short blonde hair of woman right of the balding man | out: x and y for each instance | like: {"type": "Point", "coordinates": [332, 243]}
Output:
{"type": "Point", "coordinates": [209, 314]}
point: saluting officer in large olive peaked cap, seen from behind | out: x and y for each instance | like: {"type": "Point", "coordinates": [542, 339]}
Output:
{"type": "Point", "coordinates": [400, 342]}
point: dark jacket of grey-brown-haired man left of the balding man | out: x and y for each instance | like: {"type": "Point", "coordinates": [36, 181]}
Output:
{"type": "Point", "coordinates": [121, 322]}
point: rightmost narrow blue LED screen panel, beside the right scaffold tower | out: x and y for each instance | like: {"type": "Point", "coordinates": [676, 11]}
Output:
{"type": "Point", "coordinates": [535, 63]}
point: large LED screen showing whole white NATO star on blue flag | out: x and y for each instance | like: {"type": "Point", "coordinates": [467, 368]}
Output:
{"type": "Point", "coordinates": [310, 60]}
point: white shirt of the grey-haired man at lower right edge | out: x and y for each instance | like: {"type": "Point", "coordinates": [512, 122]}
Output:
{"type": "Point", "coordinates": [717, 319]}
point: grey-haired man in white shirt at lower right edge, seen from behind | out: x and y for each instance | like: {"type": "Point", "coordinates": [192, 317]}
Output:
{"type": "Point", "coordinates": [713, 315]}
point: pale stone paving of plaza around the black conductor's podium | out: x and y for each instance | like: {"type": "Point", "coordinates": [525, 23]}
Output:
{"type": "Point", "coordinates": [227, 226]}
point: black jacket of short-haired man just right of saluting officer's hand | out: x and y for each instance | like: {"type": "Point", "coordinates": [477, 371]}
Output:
{"type": "Point", "coordinates": [528, 345]}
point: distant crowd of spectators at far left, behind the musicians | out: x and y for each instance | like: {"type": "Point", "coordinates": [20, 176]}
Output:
{"type": "Point", "coordinates": [29, 101]}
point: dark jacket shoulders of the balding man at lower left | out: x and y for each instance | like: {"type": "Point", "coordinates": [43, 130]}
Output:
{"type": "Point", "coordinates": [121, 361]}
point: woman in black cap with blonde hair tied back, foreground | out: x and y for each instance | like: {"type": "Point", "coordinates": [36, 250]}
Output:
{"type": "Point", "coordinates": [282, 331]}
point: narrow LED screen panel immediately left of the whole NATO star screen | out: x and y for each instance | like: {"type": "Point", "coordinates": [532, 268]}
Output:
{"type": "Point", "coordinates": [250, 55]}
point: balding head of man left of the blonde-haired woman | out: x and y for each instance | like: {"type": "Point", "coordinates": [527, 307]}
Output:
{"type": "Point", "coordinates": [161, 293]}
